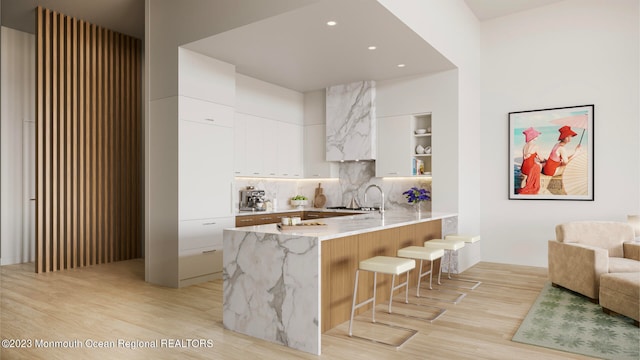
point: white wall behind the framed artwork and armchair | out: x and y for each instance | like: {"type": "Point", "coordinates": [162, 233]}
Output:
{"type": "Point", "coordinates": [573, 52]}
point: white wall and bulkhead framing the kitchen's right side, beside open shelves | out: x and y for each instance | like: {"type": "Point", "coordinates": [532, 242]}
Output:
{"type": "Point", "coordinates": [452, 29]}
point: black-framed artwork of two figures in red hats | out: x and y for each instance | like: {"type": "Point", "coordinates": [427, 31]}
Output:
{"type": "Point", "coordinates": [551, 154]}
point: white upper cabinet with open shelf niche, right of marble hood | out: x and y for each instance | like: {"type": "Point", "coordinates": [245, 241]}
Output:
{"type": "Point", "coordinates": [401, 150]}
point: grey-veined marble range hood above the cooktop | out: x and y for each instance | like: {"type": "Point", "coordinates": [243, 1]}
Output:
{"type": "Point", "coordinates": [351, 121]}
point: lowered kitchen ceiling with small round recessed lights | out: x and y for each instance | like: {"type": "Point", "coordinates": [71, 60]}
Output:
{"type": "Point", "coordinates": [297, 49]}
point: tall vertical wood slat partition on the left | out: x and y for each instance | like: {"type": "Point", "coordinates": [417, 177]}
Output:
{"type": "Point", "coordinates": [88, 148]}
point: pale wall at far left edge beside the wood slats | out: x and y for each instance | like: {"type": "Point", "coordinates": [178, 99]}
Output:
{"type": "Point", "coordinates": [18, 99]}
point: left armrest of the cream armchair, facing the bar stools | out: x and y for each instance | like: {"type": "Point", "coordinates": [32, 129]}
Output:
{"type": "Point", "coordinates": [577, 267]}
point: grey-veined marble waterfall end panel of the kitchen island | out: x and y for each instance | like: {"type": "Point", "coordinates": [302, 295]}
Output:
{"type": "Point", "coordinates": [263, 273]}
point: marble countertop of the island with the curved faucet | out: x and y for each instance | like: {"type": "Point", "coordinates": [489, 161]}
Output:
{"type": "Point", "coordinates": [350, 224]}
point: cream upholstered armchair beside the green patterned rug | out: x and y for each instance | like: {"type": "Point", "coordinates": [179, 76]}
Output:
{"type": "Point", "coordinates": [584, 250]}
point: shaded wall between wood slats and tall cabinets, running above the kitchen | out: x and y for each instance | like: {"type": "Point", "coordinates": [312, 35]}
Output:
{"type": "Point", "coordinates": [169, 24]}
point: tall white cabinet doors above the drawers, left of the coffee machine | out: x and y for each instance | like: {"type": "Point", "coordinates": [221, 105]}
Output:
{"type": "Point", "coordinates": [205, 136]}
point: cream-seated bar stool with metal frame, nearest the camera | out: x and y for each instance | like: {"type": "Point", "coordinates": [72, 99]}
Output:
{"type": "Point", "coordinates": [386, 265]}
